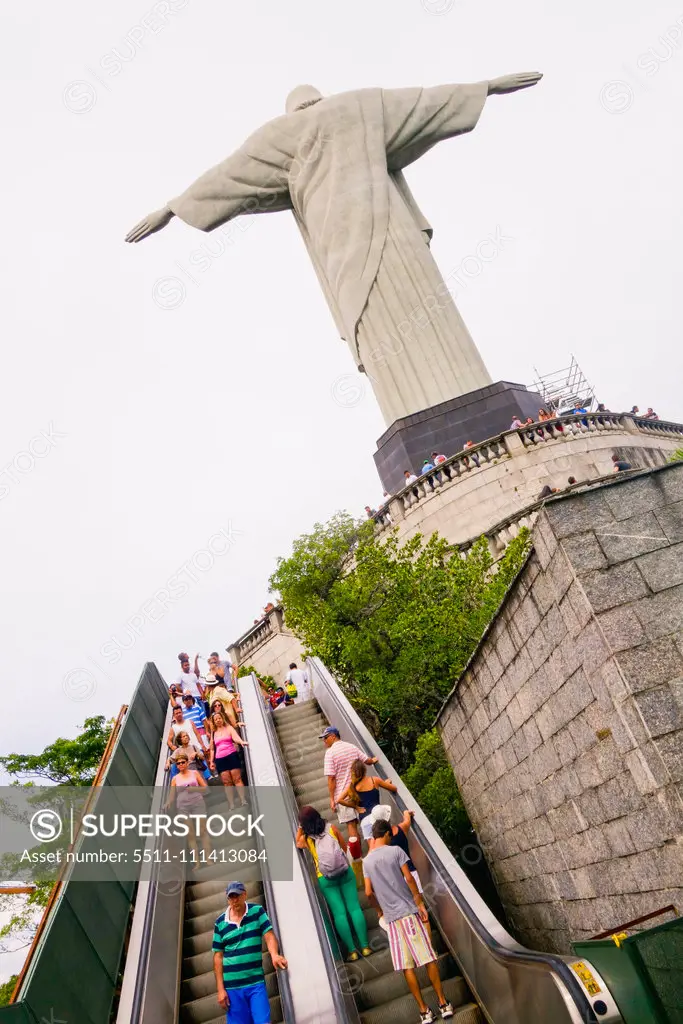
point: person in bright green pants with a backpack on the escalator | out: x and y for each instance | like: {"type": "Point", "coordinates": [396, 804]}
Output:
{"type": "Point", "coordinates": [337, 881]}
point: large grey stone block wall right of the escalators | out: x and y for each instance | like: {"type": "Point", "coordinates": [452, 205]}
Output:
{"type": "Point", "coordinates": [566, 732]}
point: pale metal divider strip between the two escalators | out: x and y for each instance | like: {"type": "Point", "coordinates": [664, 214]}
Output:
{"type": "Point", "coordinates": [317, 992]}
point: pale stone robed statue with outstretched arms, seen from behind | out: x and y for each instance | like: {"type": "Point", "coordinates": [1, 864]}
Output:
{"type": "Point", "coordinates": [337, 164]}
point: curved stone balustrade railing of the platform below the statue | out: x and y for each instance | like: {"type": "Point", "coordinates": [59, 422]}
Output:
{"type": "Point", "coordinates": [507, 445]}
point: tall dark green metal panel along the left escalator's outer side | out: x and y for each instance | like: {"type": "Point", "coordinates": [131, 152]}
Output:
{"type": "Point", "coordinates": [74, 974]}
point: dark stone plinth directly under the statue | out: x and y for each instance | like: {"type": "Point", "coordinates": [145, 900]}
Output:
{"type": "Point", "coordinates": [446, 428]}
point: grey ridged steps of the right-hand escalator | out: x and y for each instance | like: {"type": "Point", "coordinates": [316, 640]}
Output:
{"type": "Point", "coordinates": [380, 992]}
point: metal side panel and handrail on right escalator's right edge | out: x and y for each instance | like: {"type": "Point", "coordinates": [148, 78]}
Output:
{"type": "Point", "coordinates": [514, 986]}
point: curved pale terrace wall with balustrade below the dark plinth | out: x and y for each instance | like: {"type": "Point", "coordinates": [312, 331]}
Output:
{"type": "Point", "coordinates": [478, 489]}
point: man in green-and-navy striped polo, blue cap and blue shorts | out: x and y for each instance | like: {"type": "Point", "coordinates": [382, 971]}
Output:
{"type": "Point", "coordinates": [238, 965]}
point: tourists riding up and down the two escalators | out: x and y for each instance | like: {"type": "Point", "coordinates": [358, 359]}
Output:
{"type": "Point", "coordinates": [204, 747]}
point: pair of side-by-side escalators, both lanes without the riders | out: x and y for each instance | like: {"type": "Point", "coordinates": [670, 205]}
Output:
{"type": "Point", "coordinates": [487, 975]}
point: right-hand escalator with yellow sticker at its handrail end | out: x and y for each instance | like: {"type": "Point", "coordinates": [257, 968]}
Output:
{"type": "Point", "coordinates": [487, 974]}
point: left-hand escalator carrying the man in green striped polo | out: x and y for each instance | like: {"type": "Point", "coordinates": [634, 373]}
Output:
{"type": "Point", "coordinates": [169, 976]}
